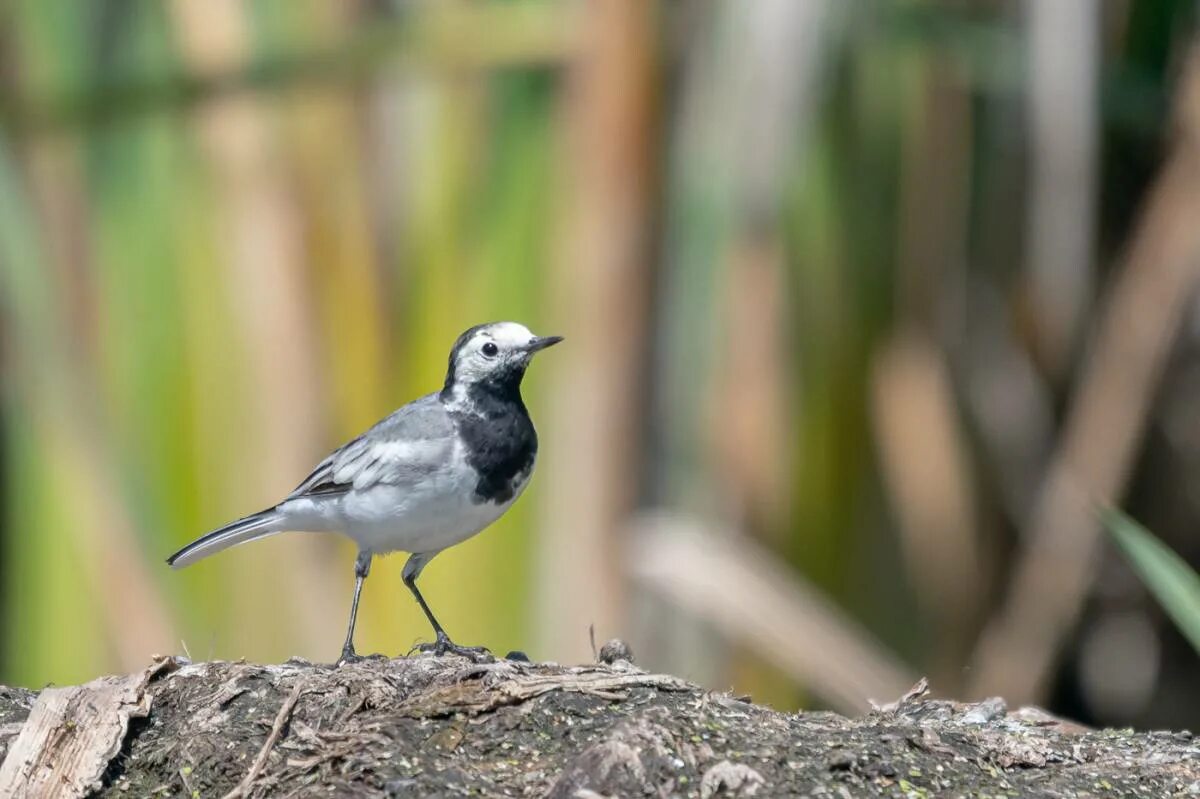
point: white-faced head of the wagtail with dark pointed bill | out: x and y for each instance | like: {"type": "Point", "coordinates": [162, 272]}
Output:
{"type": "Point", "coordinates": [493, 358]}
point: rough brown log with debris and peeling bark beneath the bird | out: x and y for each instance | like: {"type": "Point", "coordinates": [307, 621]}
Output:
{"type": "Point", "coordinates": [446, 728]}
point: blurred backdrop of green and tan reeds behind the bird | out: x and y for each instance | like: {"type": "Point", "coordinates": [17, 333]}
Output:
{"type": "Point", "coordinates": [867, 305]}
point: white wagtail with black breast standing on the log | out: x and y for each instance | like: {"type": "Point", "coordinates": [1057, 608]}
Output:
{"type": "Point", "coordinates": [427, 478]}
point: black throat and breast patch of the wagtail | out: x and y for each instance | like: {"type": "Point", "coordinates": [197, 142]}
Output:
{"type": "Point", "coordinates": [500, 437]}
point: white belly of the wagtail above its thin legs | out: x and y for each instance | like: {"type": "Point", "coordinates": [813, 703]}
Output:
{"type": "Point", "coordinates": [428, 515]}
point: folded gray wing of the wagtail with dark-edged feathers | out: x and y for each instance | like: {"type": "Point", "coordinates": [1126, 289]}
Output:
{"type": "Point", "coordinates": [411, 443]}
